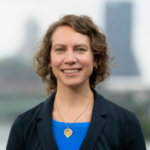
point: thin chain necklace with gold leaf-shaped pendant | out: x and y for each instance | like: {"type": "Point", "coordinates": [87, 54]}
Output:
{"type": "Point", "coordinates": [68, 132]}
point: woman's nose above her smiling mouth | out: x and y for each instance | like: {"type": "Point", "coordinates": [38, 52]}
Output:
{"type": "Point", "coordinates": [70, 57]}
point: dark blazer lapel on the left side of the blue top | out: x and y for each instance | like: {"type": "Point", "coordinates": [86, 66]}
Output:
{"type": "Point", "coordinates": [44, 125]}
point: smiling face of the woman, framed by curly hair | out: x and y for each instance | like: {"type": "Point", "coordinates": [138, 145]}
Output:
{"type": "Point", "coordinates": [71, 57]}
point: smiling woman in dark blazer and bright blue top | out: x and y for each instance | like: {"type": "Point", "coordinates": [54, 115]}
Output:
{"type": "Point", "coordinates": [72, 60]}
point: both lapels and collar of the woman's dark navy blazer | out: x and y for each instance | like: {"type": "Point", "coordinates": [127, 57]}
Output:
{"type": "Point", "coordinates": [96, 125]}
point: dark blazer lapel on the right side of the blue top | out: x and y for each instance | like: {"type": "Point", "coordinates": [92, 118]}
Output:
{"type": "Point", "coordinates": [97, 123]}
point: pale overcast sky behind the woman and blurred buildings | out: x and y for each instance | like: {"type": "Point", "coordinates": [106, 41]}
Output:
{"type": "Point", "coordinates": [14, 14]}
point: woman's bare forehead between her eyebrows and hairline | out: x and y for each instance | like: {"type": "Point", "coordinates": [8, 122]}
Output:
{"type": "Point", "coordinates": [67, 35]}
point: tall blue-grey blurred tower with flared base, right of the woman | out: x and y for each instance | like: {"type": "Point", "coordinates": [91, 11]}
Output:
{"type": "Point", "coordinates": [118, 23]}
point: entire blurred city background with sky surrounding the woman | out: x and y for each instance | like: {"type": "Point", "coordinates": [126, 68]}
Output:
{"type": "Point", "coordinates": [126, 24]}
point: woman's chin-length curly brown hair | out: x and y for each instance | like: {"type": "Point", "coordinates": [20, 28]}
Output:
{"type": "Point", "coordinates": [82, 24]}
